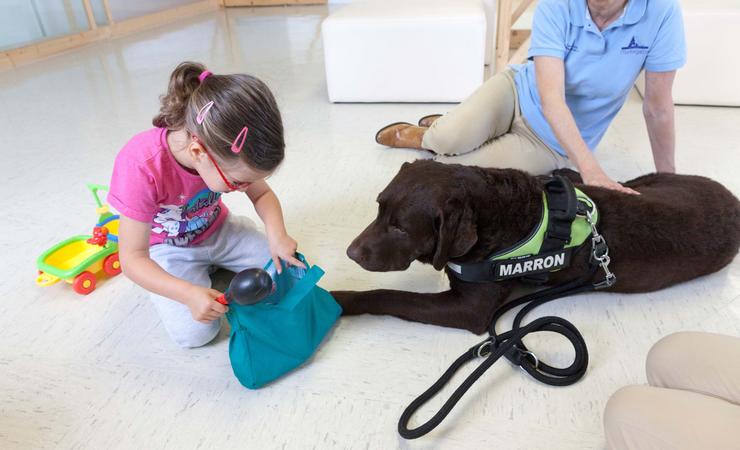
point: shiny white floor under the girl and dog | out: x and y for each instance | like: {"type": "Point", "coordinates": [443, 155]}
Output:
{"type": "Point", "coordinates": [99, 372]}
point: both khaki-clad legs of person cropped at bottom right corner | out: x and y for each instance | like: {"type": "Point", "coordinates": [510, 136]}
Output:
{"type": "Point", "coordinates": [692, 400]}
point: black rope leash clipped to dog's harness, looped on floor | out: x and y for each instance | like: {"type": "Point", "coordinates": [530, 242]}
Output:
{"type": "Point", "coordinates": [510, 345]}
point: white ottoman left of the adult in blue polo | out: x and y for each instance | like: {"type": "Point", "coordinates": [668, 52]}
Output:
{"type": "Point", "coordinates": [405, 51]}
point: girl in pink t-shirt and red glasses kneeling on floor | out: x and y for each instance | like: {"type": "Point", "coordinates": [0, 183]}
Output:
{"type": "Point", "coordinates": [213, 134]}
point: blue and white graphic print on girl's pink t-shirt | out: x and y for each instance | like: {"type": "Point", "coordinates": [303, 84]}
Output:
{"type": "Point", "coordinates": [183, 223]}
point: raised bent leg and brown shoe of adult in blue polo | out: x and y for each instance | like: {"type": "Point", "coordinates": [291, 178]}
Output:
{"type": "Point", "coordinates": [485, 114]}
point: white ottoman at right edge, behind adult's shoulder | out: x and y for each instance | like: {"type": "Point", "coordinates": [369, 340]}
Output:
{"type": "Point", "coordinates": [712, 70]}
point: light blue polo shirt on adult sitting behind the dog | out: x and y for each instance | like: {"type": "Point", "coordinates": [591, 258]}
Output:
{"type": "Point", "coordinates": [600, 66]}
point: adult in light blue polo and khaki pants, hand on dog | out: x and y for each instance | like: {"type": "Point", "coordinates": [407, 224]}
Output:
{"type": "Point", "coordinates": [552, 111]}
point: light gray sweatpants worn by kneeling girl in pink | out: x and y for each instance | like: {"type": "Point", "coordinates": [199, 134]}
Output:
{"type": "Point", "coordinates": [236, 246]}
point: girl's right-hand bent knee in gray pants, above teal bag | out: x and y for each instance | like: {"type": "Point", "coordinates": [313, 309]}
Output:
{"type": "Point", "coordinates": [240, 245]}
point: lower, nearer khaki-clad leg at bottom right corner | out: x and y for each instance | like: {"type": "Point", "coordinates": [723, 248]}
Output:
{"type": "Point", "coordinates": [647, 417]}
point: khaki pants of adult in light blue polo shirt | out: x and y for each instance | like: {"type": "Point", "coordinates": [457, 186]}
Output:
{"type": "Point", "coordinates": [487, 130]}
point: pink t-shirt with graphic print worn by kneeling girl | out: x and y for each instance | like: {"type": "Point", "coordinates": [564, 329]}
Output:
{"type": "Point", "coordinates": [149, 185]}
